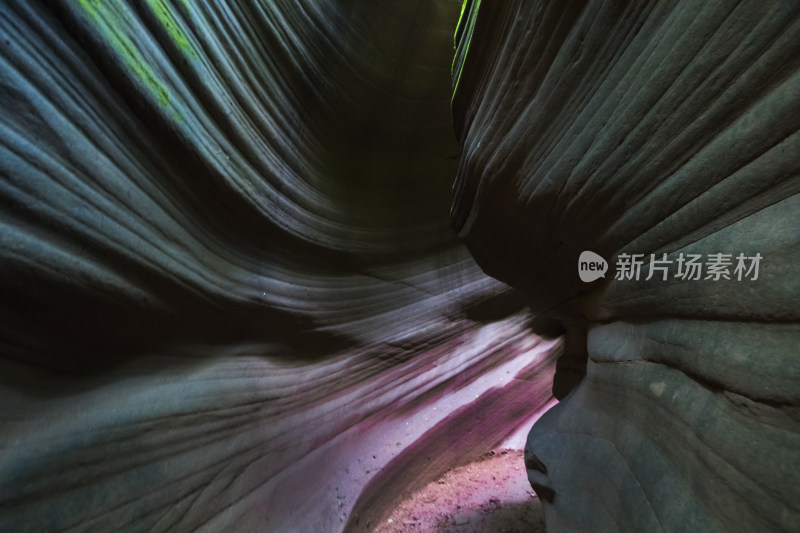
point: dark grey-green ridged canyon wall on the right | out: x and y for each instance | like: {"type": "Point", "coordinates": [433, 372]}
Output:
{"type": "Point", "coordinates": [647, 128]}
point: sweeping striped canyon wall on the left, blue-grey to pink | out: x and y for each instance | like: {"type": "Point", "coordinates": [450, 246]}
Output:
{"type": "Point", "coordinates": [230, 297]}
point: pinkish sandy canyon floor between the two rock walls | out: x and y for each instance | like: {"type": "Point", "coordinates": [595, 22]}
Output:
{"type": "Point", "coordinates": [491, 495]}
